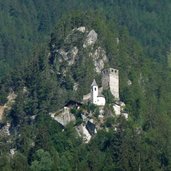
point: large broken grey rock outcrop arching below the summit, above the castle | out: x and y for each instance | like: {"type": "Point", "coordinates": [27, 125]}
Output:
{"type": "Point", "coordinates": [80, 37]}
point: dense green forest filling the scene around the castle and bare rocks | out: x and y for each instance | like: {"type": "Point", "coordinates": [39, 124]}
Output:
{"type": "Point", "coordinates": [136, 38]}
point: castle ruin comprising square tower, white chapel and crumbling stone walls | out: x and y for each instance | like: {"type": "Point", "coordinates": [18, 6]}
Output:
{"type": "Point", "coordinates": [87, 129]}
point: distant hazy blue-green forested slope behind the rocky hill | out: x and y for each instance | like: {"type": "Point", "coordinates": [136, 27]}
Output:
{"type": "Point", "coordinates": [26, 24]}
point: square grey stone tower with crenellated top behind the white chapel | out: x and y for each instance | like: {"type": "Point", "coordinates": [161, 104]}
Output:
{"type": "Point", "coordinates": [110, 80]}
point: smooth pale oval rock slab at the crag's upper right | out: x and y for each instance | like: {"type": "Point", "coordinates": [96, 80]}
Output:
{"type": "Point", "coordinates": [91, 39]}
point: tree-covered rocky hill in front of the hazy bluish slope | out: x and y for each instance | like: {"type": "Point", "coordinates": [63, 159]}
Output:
{"type": "Point", "coordinates": [59, 74]}
